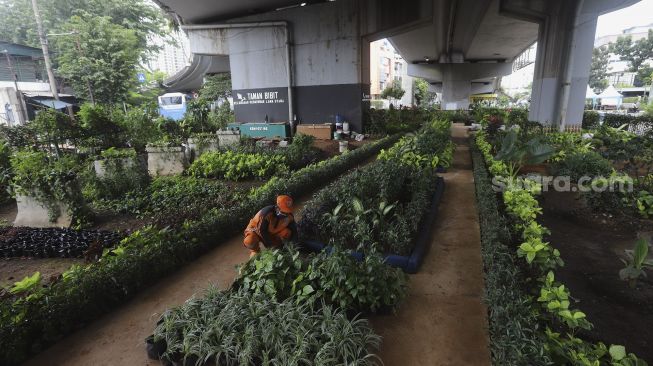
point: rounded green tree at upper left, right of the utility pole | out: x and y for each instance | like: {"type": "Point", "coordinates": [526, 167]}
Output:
{"type": "Point", "coordinates": [99, 58]}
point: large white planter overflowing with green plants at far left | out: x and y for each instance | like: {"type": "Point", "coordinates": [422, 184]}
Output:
{"type": "Point", "coordinates": [46, 190]}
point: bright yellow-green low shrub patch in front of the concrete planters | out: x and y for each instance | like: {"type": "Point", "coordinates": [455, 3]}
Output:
{"type": "Point", "coordinates": [238, 166]}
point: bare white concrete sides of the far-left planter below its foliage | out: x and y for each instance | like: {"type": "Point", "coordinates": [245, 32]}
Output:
{"type": "Point", "coordinates": [34, 214]}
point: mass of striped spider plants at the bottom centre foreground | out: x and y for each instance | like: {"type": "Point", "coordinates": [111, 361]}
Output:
{"type": "Point", "coordinates": [238, 328]}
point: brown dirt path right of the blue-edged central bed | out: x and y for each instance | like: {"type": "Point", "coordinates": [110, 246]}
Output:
{"type": "Point", "coordinates": [443, 321]}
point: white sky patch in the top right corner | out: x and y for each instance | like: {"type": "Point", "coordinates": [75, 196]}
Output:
{"type": "Point", "coordinates": [613, 23]}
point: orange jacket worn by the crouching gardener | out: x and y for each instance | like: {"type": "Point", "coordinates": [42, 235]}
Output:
{"type": "Point", "coordinates": [267, 224]}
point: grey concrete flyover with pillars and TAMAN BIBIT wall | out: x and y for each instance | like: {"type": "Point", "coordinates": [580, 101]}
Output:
{"type": "Point", "coordinates": [310, 61]}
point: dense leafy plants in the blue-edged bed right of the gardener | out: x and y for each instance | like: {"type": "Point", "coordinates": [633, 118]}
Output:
{"type": "Point", "coordinates": [375, 187]}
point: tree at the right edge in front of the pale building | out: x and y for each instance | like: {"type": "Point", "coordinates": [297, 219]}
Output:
{"type": "Point", "coordinates": [637, 54]}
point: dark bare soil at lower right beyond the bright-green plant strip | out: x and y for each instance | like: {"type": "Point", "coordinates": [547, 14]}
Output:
{"type": "Point", "coordinates": [591, 251]}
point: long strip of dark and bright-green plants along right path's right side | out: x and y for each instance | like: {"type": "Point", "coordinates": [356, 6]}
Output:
{"type": "Point", "coordinates": [552, 306]}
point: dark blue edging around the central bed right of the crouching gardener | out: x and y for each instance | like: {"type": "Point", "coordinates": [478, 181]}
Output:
{"type": "Point", "coordinates": [409, 263]}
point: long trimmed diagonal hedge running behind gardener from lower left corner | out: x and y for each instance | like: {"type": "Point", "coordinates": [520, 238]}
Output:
{"type": "Point", "coordinates": [85, 293]}
